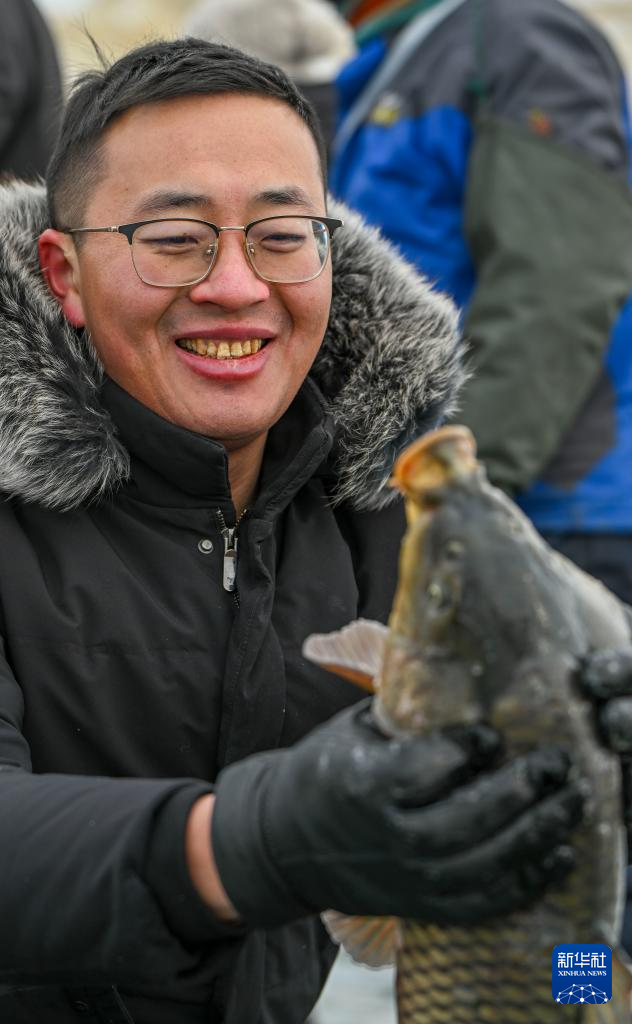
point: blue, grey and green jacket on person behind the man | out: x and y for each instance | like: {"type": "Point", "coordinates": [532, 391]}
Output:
{"type": "Point", "coordinates": [492, 144]}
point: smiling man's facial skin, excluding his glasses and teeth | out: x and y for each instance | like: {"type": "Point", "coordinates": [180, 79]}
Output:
{"type": "Point", "coordinates": [229, 160]}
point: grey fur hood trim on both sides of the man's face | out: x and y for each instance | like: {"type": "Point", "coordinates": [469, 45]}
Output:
{"type": "Point", "coordinates": [389, 367]}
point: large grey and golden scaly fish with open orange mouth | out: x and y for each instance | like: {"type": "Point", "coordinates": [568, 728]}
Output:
{"type": "Point", "coordinates": [489, 624]}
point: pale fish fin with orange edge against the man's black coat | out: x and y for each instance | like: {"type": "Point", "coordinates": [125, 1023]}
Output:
{"type": "Point", "coordinates": [356, 653]}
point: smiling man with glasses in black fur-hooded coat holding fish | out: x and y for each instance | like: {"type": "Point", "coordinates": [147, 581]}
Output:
{"type": "Point", "coordinates": [199, 415]}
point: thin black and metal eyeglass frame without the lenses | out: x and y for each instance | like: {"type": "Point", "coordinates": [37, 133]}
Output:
{"type": "Point", "coordinates": [331, 224]}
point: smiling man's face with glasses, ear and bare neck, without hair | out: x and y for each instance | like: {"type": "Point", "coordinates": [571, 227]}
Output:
{"type": "Point", "coordinates": [231, 160]}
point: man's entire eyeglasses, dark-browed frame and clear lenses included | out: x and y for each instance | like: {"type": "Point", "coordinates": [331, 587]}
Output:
{"type": "Point", "coordinates": [172, 253]}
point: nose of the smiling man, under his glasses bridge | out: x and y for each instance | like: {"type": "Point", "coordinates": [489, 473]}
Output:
{"type": "Point", "coordinates": [232, 283]}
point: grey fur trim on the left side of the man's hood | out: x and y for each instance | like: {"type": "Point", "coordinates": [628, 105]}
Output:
{"type": "Point", "coordinates": [58, 446]}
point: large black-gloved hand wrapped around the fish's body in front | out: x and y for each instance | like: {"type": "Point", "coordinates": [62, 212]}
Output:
{"type": "Point", "coordinates": [351, 821]}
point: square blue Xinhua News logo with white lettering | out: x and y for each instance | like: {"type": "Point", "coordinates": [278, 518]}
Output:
{"type": "Point", "coordinates": [582, 973]}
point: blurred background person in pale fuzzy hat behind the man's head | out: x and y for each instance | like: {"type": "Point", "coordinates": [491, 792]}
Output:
{"type": "Point", "coordinates": [308, 38]}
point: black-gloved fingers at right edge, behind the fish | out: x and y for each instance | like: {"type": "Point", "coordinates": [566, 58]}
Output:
{"type": "Point", "coordinates": [607, 677]}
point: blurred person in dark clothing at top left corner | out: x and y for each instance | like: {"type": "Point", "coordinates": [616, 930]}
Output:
{"type": "Point", "coordinates": [31, 97]}
